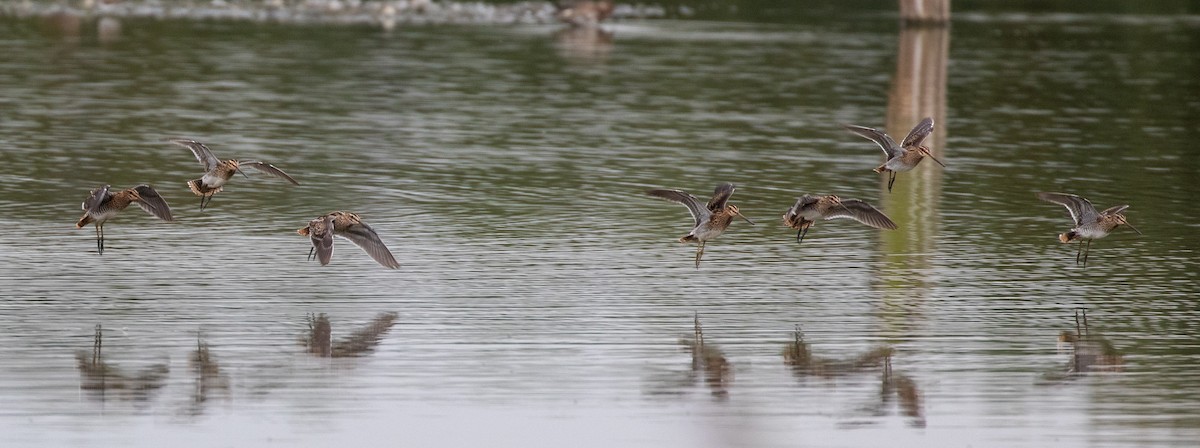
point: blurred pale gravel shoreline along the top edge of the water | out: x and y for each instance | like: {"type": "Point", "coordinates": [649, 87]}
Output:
{"type": "Point", "coordinates": [386, 14]}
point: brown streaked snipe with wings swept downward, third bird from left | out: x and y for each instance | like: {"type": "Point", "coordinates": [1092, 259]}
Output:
{"type": "Point", "coordinates": [347, 225]}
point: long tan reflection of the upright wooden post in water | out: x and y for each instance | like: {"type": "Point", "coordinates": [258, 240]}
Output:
{"type": "Point", "coordinates": [919, 91]}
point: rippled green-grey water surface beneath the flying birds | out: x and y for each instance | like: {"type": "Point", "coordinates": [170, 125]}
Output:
{"type": "Point", "coordinates": [543, 297]}
